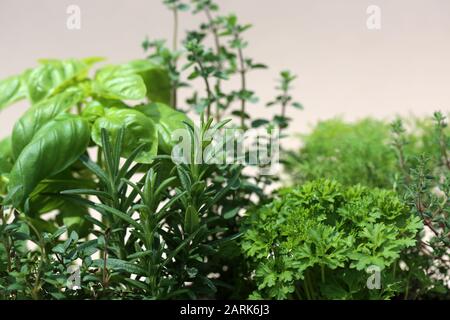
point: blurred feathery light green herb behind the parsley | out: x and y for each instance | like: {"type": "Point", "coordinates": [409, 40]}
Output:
{"type": "Point", "coordinates": [350, 153]}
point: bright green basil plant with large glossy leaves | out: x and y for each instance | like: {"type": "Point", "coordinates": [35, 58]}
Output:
{"type": "Point", "coordinates": [69, 106]}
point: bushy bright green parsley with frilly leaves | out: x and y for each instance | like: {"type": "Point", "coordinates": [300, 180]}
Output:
{"type": "Point", "coordinates": [317, 241]}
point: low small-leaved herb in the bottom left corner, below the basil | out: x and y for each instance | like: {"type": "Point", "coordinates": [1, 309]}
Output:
{"type": "Point", "coordinates": [53, 271]}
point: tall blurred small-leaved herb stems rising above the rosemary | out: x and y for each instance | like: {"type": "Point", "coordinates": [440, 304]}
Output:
{"type": "Point", "coordinates": [217, 63]}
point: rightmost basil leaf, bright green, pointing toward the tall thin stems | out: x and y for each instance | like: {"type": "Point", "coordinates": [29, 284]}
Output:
{"type": "Point", "coordinates": [167, 120]}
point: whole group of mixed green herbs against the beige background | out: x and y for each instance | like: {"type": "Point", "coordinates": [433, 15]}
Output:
{"type": "Point", "coordinates": [93, 205]}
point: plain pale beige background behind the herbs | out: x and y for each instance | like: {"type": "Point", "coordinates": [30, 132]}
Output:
{"type": "Point", "coordinates": [343, 68]}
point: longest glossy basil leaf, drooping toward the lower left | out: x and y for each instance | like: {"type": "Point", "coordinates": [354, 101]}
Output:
{"type": "Point", "coordinates": [55, 147]}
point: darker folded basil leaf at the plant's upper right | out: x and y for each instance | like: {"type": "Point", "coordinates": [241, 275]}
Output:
{"type": "Point", "coordinates": [156, 79]}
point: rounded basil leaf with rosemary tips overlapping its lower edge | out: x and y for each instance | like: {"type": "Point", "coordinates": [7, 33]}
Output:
{"type": "Point", "coordinates": [139, 130]}
